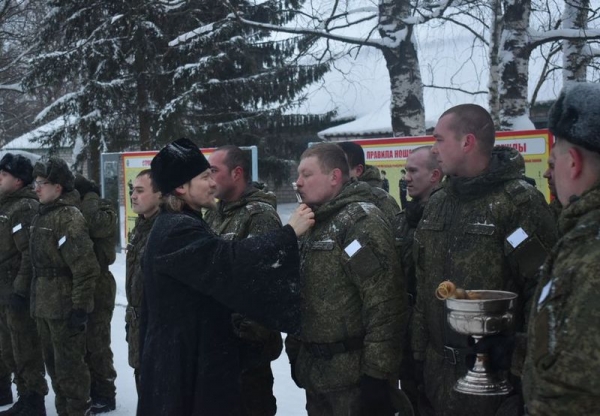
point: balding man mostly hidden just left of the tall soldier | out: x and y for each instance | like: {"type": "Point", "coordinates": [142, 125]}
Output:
{"type": "Point", "coordinates": [422, 177]}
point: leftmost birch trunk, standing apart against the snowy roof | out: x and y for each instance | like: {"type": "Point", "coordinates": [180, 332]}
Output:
{"type": "Point", "coordinates": [402, 62]}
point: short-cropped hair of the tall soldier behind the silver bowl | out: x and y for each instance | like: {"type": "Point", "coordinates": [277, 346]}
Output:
{"type": "Point", "coordinates": [476, 120]}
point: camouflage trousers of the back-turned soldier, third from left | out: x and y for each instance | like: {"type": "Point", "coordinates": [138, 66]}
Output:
{"type": "Point", "coordinates": [99, 356]}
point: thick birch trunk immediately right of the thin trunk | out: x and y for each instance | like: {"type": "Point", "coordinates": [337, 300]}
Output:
{"type": "Point", "coordinates": [514, 54]}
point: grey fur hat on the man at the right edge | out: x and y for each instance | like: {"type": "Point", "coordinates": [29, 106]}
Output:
{"type": "Point", "coordinates": [575, 116]}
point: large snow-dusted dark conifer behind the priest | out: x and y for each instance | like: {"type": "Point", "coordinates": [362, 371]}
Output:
{"type": "Point", "coordinates": [140, 75]}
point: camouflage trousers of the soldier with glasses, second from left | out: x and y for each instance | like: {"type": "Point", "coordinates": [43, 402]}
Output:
{"type": "Point", "coordinates": [64, 352]}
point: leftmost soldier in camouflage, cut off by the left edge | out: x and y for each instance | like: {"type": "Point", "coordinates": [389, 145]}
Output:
{"type": "Point", "coordinates": [18, 206]}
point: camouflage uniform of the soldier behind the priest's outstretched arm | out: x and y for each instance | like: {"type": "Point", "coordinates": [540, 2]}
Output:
{"type": "Point", "coordinates": [254, 213]}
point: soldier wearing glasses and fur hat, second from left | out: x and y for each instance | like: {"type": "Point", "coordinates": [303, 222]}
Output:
{"type": "Point", "coordinates": [65, 272]}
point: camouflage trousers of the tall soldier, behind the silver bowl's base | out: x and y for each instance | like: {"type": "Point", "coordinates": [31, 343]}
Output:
{"type": "Point", "coordinates": [440, 376]}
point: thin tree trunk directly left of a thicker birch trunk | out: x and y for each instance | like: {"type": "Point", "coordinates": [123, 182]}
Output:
{"type": "Point", "coordinates": [494, 79]}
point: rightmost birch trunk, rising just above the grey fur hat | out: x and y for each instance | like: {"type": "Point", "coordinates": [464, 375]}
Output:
{"type": "Point", "coordinates": [575, 62]}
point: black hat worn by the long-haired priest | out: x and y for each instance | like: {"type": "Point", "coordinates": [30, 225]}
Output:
{"type": "Point", "coordinates": [177, 163]}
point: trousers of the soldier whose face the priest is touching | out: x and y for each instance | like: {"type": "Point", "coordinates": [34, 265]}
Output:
{"type": "Point", "coordinates": [338, 403]}
